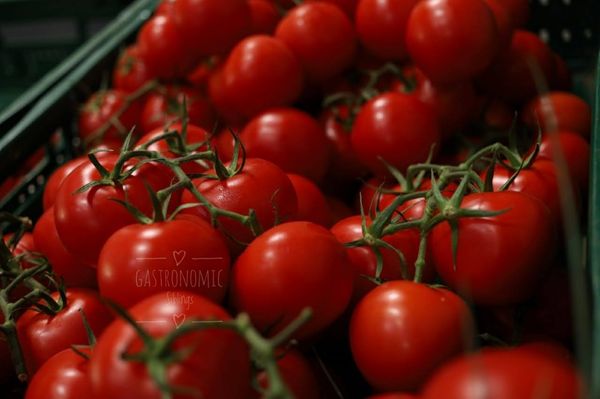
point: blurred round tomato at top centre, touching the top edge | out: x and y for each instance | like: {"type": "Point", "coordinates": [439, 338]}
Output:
{"type": "Point", "coordinates": [321, 36]}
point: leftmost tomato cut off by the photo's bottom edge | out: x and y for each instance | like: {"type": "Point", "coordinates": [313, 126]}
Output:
{"type": "Point", "coordinates": [63, 376]}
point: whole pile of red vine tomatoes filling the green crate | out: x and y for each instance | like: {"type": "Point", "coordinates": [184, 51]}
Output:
{"type": "Point", "coordinates": [335, 198]}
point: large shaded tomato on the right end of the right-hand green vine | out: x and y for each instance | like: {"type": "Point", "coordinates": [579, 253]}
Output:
{"type": "Point", "coordinates": [512, 264]}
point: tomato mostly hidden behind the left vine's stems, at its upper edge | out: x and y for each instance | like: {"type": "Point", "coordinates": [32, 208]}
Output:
{"type": "Point", "coordinates": [194, 136]}
